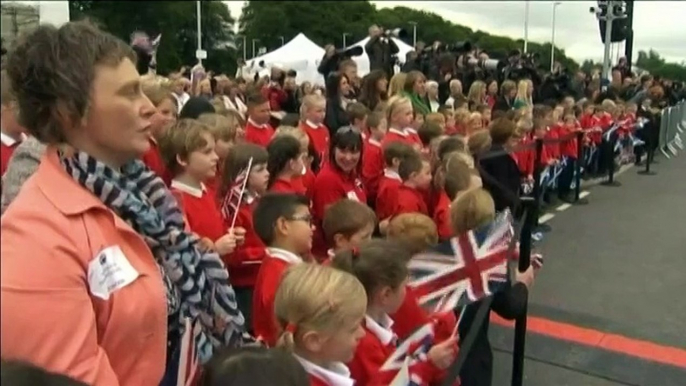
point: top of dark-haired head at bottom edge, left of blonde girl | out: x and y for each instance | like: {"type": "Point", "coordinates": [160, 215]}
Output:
{"type": "Point", "coordinates": [254, 365]}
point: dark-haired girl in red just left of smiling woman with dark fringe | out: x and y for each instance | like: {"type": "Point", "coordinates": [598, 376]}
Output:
{"type": "Point", "coordinates": [286, 164]}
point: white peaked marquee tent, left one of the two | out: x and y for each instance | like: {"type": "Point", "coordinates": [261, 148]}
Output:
{"type": "Point", "coordinates": [299, 54]}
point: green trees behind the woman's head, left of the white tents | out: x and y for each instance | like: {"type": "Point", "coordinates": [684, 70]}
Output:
{"type": "Point", "coordinates": [176, 21]}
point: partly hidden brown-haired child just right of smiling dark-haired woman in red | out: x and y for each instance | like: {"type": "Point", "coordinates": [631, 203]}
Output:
{"type": "Point", "coordinates": [389, 183]}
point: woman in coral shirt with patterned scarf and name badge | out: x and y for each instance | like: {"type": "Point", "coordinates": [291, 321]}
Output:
{"type": "Point", "coordinates": [94, 250]}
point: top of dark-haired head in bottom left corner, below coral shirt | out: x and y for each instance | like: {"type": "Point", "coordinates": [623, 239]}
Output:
{"type": "Point", "coordinates": [24, 374]}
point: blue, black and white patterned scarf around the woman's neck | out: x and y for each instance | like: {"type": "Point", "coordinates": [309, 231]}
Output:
{"type": "Point", "coordinates": [197, 282]}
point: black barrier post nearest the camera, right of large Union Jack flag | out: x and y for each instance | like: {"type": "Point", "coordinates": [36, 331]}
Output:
{"type": "Point", "coordinates": [530, 206]}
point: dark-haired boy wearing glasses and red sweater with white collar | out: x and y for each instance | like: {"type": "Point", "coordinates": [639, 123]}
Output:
{"type": "Point", "coordinates": [283, 223]}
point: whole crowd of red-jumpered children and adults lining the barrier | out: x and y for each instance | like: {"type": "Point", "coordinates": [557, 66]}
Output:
{"type": "Point", "coordinates": [275, 220]}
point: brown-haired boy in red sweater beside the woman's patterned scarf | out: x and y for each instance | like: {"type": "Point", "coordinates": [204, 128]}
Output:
{"type": "Point", "coordinates": [187, 149]}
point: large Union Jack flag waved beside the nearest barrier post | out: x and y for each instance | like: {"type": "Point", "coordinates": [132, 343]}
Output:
{"type": "Point", "coordinates": [476, 268]}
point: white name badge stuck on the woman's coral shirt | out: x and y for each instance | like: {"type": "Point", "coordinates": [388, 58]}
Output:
{"type": "Point", "coordinates": [110, 271]}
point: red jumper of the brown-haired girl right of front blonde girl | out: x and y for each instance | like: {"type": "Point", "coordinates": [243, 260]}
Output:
{"type": "Point", "coordinates": [377, 345]}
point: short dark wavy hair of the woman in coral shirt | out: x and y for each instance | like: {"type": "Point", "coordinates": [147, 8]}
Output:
{"type": "Point", "coordinates": [51, 71]}
